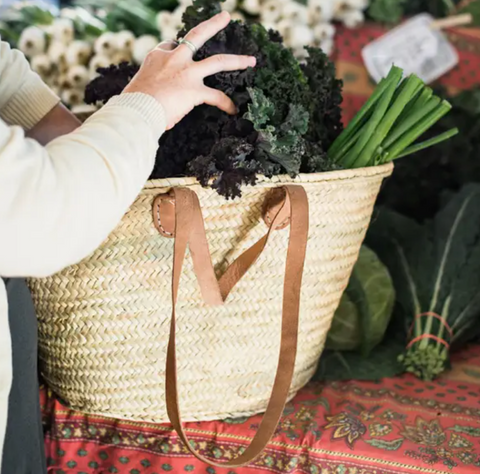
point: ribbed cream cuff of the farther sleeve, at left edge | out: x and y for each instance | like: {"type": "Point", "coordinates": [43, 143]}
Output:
{"type": "Point", "coordinates": [30, 103]}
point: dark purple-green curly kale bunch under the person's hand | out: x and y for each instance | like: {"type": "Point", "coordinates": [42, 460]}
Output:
{"type": "Point", "coordinates": [289, 113]}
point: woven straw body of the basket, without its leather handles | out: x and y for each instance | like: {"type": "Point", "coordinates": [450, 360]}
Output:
{"type": "Point", "coordinates": [104, 323]}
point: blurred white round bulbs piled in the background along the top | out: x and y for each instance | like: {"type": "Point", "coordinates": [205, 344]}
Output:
{"type": "Point", "coordinates": [67, 49]}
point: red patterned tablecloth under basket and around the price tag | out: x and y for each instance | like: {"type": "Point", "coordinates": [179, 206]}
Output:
{"type": "Point", "coordinates": [398, 426]}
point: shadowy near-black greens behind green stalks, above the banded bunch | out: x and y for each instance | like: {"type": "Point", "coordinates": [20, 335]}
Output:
{"type": "Point", "coordinates": [418, 184]}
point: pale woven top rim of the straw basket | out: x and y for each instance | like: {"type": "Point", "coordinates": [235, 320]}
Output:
{"type": "Point", "coordinates": [381, 171]}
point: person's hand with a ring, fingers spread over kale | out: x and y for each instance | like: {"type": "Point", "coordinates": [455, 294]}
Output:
{"type": "Point", "coordinates": [176, 81]}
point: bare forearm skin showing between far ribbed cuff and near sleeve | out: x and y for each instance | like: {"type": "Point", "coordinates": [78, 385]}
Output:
{"type": "Point", "coordinates": [58, 122]}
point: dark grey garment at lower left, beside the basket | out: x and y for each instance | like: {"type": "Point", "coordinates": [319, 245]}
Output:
{"type": "Point", "coordinates": [23, 451]}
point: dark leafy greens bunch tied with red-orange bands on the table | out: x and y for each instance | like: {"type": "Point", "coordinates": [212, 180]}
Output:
{"type": "Point", "coordinates": [436, 272]}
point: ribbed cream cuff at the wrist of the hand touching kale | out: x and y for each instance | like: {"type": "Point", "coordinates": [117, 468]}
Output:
{"type": "Point", "coordinates": [147, 106]}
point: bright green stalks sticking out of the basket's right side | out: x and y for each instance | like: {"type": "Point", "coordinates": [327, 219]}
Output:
{"type": "Point", "coordinates": [398, 112]}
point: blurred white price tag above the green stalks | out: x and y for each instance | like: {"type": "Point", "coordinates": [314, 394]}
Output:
{"type": "Point", "coordinates": [415, 47]}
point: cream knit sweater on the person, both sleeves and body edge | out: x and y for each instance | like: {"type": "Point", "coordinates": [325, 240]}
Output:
{"type": "Point", "coordinates": [58, 203]}
